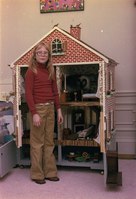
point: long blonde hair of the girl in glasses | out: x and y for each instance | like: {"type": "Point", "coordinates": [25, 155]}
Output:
{"type": "Point", "coordinates": [48, 64]}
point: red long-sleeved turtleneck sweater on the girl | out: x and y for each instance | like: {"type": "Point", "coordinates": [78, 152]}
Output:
{"type": "Point", "coordinates": [40, 89]}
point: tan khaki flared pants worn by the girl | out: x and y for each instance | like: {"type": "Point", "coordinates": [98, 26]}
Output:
{"type": "Point", "coordinates": [43, 162]}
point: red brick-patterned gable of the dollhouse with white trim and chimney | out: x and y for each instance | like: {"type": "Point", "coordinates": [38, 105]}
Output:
{"type": "Point", "coordinates": [76, 51]}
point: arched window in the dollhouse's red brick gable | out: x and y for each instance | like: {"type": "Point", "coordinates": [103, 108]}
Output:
{"type": "Point", "coordinates": [57, 47]}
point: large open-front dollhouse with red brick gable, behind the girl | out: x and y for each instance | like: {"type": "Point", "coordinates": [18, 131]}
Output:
{"type": "Point", "coordinates": [85, 79]}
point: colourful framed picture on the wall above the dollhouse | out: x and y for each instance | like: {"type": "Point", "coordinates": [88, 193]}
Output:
{"type": "Point", "coordinates": [51, 6]}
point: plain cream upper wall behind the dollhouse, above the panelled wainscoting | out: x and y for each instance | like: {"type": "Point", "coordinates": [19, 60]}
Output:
{"type": "Point", "coordinates": [107, 25]}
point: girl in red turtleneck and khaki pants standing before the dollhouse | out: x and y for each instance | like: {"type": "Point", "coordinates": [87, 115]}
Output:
{"type": "Point", "coordinates": [42, 96]}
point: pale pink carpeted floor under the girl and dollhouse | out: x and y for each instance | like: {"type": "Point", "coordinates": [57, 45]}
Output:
{"type": "Point", "coordinates": [75, 183]}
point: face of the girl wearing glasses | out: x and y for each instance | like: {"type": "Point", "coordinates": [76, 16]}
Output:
{"type": "Point", "coordinates": [42, 55]}
